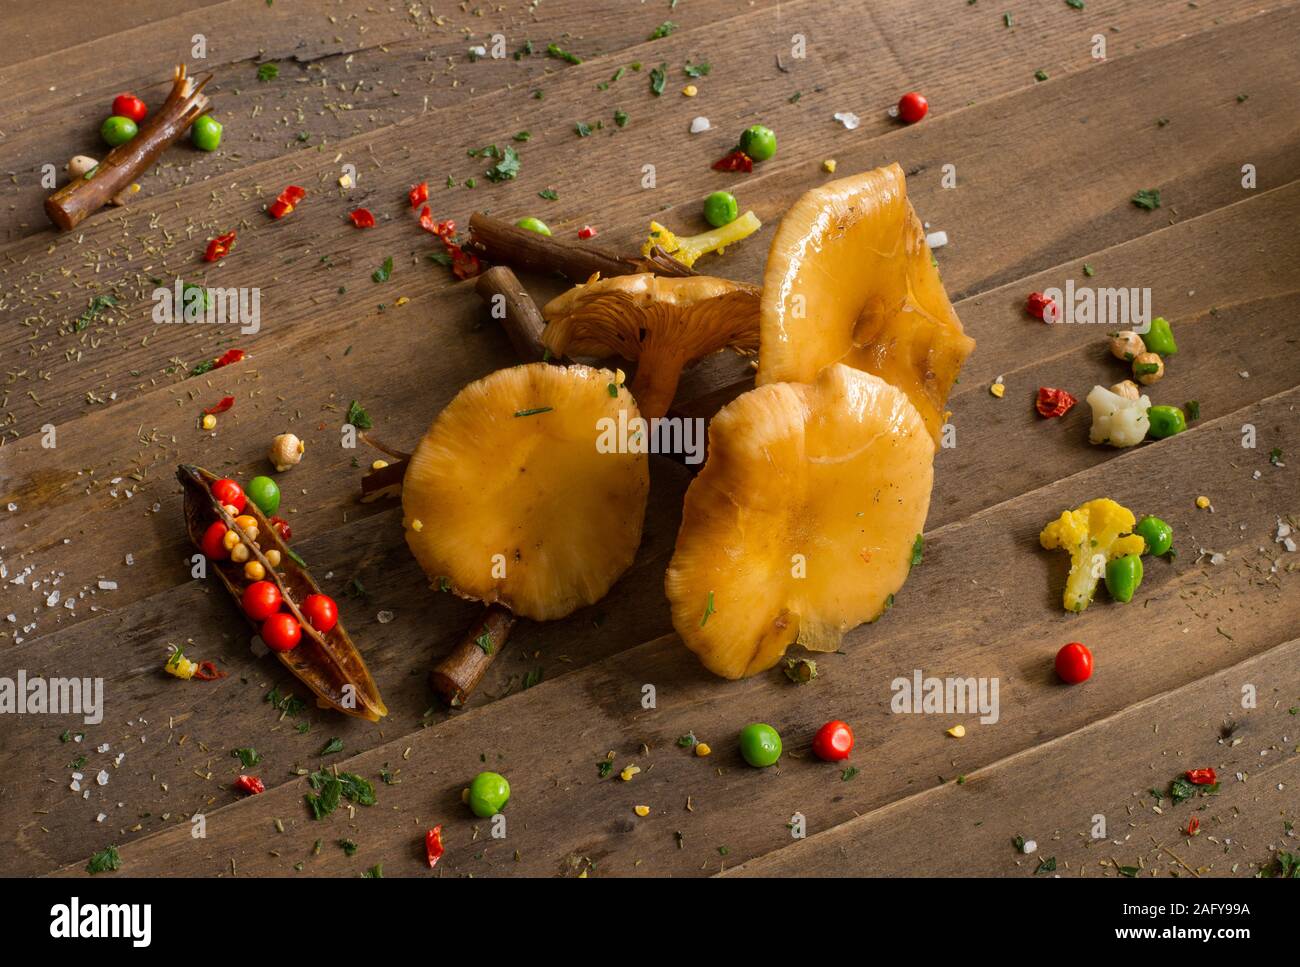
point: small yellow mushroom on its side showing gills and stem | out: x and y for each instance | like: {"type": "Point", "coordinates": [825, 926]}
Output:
{"type": "Point", "coordinates": [664, 324]}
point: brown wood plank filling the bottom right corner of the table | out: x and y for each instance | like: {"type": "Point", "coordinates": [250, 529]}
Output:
{"type": "Point", "coordinates": [1055, 793]}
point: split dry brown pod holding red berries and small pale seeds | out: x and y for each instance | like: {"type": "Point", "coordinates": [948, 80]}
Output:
{"type": "Point", "coordinates": [330, 665]}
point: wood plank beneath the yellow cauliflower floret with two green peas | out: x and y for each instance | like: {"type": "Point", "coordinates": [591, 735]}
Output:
{"type": "Point", "coordinates": [985, 604]}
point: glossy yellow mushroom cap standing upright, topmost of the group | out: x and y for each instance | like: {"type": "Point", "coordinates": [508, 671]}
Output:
{"type": "Point", "coordinates": [851, 280]}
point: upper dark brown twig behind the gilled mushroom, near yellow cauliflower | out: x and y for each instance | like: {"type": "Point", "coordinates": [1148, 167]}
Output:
{"type": "Point", "coordinates": [502, 244]}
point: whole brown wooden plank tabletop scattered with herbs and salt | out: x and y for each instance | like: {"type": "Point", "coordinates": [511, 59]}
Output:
{"type": "Point", "coordinates": [1048, 144]}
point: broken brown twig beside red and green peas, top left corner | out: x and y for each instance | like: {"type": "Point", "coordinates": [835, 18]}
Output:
{"type": "Point", "coordinates": [116, 174]}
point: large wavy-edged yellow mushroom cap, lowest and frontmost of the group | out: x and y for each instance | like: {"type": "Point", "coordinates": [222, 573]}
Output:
{"type": "Point", "coordinates": [803, 523]}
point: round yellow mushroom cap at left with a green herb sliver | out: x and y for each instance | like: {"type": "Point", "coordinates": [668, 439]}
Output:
{"type": "Point", "coordinates": [510, 500]}
